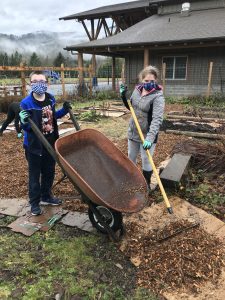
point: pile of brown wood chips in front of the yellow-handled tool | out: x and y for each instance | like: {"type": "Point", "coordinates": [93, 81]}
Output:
{"type": "Point", "coordinates": [184, 260]}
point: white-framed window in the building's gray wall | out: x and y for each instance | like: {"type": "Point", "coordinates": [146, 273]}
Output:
{"type": "Point", "coordinates": [176, 67]}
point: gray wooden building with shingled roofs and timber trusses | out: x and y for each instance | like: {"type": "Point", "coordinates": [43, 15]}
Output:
{"type": "Point", "coordinates": [186, 37]}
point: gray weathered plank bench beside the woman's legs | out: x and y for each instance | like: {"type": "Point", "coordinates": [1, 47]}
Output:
{"type": "Point", "coordinates": [176, 169]}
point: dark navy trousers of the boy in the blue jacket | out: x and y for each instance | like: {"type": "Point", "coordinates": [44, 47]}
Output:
{"type": "Point", "coordinates": [41, 176]}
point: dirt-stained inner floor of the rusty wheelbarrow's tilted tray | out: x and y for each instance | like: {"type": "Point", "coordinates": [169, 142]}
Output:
{"type": "Point", "coordinates": [107, 178]}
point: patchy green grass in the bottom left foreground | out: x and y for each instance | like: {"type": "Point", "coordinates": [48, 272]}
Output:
{"type": "Point", "coordinates": [64, 261]}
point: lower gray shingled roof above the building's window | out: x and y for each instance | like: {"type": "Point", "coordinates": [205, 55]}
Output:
{"type": "Point", "coordinates": [163, 31]}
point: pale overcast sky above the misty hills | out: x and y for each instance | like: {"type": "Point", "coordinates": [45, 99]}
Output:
{"type": "Point", "coordinates": [24, 16]}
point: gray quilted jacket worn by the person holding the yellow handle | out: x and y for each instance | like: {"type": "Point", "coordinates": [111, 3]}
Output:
{"type": "Point", "coordinates": [149, 111]}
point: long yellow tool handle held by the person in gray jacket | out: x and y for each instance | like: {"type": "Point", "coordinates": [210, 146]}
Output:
{"type": "Point", "coordinates": [165, 198]}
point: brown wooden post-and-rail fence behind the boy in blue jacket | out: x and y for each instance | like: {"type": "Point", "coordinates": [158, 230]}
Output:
{"type": "Point", "coordinates": [22, 69]}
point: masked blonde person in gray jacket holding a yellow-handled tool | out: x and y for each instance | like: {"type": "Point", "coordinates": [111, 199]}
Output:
{"type": "Point", "coordinates": [148, 102]}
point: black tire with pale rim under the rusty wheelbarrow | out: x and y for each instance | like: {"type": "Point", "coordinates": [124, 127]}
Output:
{"type": "Point", "coordinates": [114, 219]}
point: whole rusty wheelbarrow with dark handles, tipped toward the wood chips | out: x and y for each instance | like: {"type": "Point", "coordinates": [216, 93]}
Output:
{"type": "Point", "coordinates": [108, 181]}
